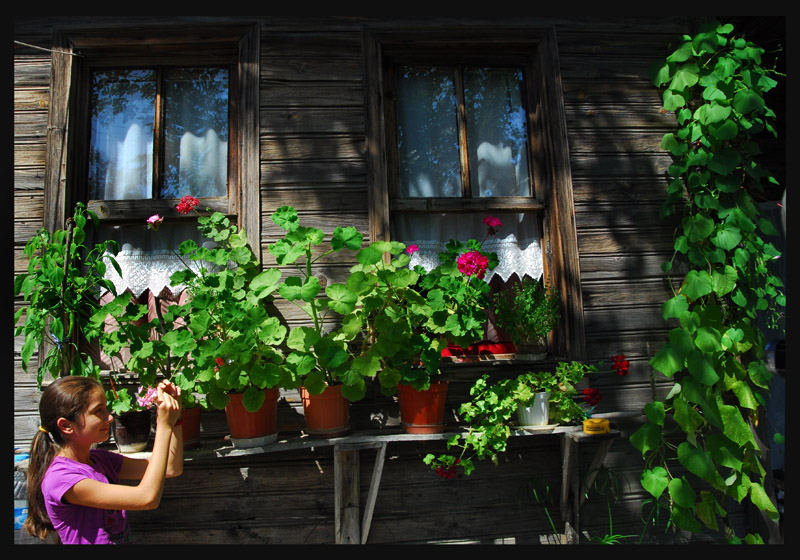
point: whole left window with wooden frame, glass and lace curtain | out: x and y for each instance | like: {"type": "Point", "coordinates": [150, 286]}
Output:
{"type": "Point", "coordinates": [150, 117]}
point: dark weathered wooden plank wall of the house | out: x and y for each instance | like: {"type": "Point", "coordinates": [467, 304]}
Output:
{"type": "Point", "coordinates": [312, 133]}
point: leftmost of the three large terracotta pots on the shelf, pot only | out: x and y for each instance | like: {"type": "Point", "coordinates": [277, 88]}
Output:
{"type": "Point", "coordinates": [253, 429]}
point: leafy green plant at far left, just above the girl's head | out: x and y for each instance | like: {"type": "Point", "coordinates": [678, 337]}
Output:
{"type": "Point", "coordinates": [61, 287]}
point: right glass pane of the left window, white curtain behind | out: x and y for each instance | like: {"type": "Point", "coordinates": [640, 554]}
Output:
{"type": "Point", "coordinates": [196, 132]}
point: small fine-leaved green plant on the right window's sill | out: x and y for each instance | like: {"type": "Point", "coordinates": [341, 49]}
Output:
{"type": "Point", "coordinates": [528, 312]}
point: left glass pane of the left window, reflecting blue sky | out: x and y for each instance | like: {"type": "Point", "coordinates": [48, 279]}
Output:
{"type": "Point", "coordinates": [121, 137]}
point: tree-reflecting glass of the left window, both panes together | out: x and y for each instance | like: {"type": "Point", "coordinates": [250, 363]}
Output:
{"type": "Point", "coordinates": [195, 133]}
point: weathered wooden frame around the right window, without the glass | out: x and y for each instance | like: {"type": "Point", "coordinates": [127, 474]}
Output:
{"type": "Point", "coordinates": [551, 178]}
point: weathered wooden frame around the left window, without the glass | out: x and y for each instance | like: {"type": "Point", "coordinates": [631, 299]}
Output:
{"type": "Point", "coordinates": [75, 53]}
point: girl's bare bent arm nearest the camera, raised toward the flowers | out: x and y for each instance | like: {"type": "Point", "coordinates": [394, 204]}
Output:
{"type": "Point", "coordinates": [146, 494]}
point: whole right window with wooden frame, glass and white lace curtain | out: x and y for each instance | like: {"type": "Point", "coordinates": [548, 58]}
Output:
{"type": "Point", "coordinates": [465, 125]}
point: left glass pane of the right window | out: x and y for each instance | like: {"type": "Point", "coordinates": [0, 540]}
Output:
{"type": "Point", "coordinates": [427, 133]}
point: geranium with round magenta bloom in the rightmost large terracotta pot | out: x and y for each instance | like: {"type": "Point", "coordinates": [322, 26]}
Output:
{"type": "Point", "coordinates": [411, 316]}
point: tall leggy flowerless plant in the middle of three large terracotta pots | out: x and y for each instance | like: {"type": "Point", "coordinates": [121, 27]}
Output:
{"type": "Point", "coordinates": [319, 353]}
